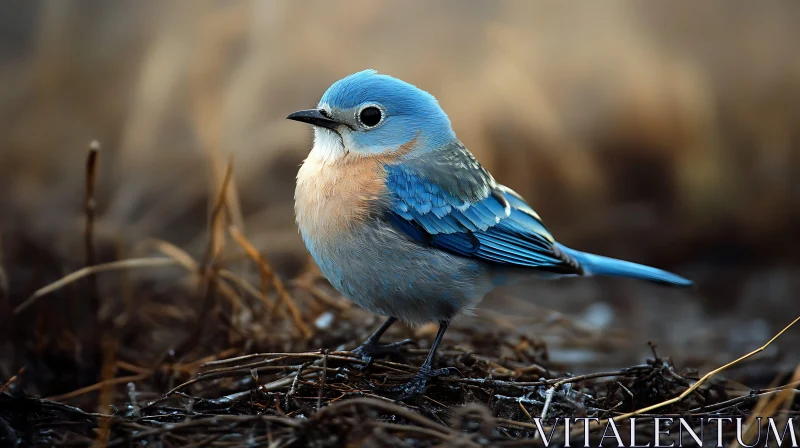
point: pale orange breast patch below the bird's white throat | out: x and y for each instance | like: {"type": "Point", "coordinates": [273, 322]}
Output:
{"type": "Point", "coordinates": [332, 197]}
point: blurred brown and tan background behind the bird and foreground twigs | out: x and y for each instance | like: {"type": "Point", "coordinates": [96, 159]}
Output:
{"type": "Point", "coordinates": [655, 132]}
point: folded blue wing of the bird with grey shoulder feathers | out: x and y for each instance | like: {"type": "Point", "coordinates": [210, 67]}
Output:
{"type": "Point", "coordinates": [447, 200]}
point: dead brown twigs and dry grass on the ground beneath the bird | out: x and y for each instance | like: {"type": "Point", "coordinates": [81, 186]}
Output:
{"type": "Point", "coordinates": [226, 396]}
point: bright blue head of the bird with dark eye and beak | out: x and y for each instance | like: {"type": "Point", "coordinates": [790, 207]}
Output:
{"type": "Point", "coordinates": [368, 113]}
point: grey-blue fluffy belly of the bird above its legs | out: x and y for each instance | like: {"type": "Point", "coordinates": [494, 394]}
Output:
{"type": "Point", "coordinates": [388, 274]}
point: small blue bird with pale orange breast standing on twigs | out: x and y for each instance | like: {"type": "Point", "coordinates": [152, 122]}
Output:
{"type": "Point", "coordinates": [403, 220]}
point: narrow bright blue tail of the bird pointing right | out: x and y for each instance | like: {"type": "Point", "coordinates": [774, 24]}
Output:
{"type": "Point", "coordinates": [599, 265]}
